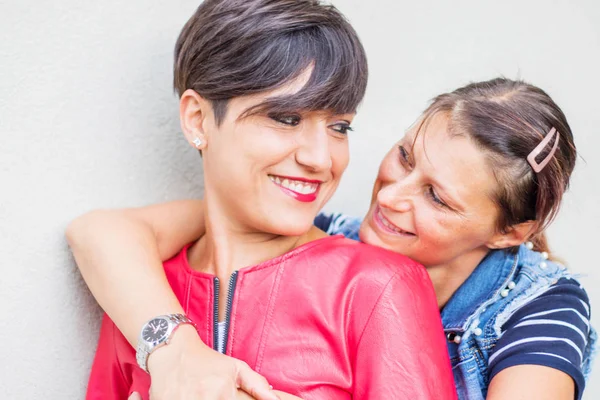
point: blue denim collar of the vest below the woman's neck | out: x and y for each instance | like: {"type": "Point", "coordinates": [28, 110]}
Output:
{"type": "Point", "coordinates": [489, 278]}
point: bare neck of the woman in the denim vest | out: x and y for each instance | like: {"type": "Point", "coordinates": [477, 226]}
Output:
{"type": "Point", "coordinates": [448, 277]}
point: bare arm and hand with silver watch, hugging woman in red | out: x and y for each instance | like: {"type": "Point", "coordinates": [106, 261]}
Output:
{"type": "Point", "coordinates": [119, 254]}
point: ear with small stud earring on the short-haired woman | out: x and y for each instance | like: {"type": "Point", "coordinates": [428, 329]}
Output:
{"type": "Point", "coordinates": [194, 114]}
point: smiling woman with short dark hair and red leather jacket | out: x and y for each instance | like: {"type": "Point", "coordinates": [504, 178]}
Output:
{"type": "Point", "coordinates": [264, 97]}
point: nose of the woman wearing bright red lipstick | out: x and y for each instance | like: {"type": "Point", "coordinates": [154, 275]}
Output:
{"type": "Point", "coordinates": [313, 148]}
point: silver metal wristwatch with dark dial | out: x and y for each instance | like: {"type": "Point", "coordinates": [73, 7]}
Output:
{"type": "Point", "coordinates": [157, 333]}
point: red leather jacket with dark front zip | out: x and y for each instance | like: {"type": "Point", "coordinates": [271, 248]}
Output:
{"type": "Point", "coordinates": [332, 319]}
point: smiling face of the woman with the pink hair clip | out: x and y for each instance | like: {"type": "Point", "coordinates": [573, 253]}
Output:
{"type": "Point", "coordinates": [457, 172]}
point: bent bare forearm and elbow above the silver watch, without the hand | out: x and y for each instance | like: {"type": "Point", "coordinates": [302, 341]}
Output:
{"type": "Point", "coordinates": [120, 254]}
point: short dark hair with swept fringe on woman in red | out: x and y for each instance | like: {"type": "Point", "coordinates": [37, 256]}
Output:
{"type": "Point", "coordinates": [232, 48]}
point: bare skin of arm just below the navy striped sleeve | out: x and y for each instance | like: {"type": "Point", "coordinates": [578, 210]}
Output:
{"type": "Point", "coordinates": [525, 382]}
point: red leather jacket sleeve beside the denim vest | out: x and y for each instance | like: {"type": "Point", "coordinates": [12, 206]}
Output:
{"type": "Point", "coordinates": [401, 350]}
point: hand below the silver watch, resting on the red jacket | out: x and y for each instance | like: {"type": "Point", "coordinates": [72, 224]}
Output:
{"type": "Point", "coordinates": [188, 369]}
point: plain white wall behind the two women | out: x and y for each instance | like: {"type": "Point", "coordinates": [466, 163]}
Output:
{"type": "Point", "coordinates": [88, 119]}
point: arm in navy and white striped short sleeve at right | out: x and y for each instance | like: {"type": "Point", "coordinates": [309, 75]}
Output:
{"type": "Point", "coordinates": [543, 346]}
